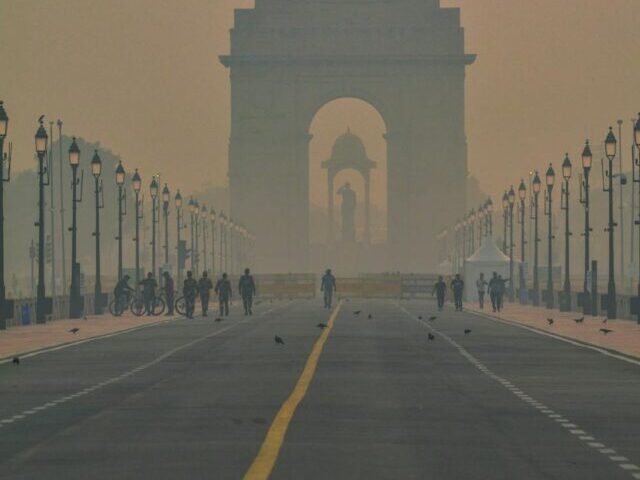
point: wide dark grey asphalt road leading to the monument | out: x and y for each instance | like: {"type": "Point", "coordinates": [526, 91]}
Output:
{"type": "Point", "coordinates": [195, 399]}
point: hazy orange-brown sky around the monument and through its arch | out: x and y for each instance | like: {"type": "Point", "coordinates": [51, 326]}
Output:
{"type": "Point", "coordinates": [142, 76]}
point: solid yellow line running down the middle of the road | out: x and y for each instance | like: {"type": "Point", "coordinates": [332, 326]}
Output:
{"type": "Point", "coordinates": [264, 462]}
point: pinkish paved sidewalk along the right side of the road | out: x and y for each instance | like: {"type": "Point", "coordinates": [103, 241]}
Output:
{"type": "Point", "coordinates": [624, 338]}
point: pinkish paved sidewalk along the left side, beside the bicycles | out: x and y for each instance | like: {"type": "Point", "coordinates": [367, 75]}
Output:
{"type": "Point", "coordinates": [20, 340]}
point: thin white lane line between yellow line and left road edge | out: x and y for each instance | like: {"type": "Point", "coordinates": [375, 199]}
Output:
{"type": "Point", "coordinates": [144, 366]}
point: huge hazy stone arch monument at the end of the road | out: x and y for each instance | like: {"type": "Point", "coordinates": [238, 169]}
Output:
{"type": "Point", "coordinates": [289, 58]}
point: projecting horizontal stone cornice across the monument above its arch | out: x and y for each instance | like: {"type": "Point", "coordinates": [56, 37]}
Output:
{"type": "Point", "coordinates": [297, 60]}
